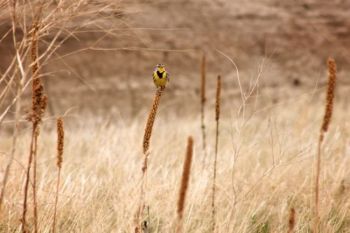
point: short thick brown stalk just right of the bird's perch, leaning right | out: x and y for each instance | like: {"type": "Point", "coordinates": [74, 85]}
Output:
{"type": "Point", "coordinates": [186, 172]}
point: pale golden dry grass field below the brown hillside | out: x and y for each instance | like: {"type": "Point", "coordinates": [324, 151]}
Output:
{"type": "Point", "coordinates": [102, 173]}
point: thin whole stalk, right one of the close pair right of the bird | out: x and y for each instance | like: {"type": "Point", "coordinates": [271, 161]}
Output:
{"type": "Point", "coordinates": [217, 119]}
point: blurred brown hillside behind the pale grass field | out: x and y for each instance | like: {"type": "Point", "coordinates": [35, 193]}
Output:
{"type": "Point", "coordinates": [107, 63]}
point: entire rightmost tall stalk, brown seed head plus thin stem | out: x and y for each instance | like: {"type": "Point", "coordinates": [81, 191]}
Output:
{"type": "Point", "coordinates": [324, 128]}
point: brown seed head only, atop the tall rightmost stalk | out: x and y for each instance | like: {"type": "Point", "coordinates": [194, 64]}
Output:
{"type": "Point", "coordinates": [330, 94]}
